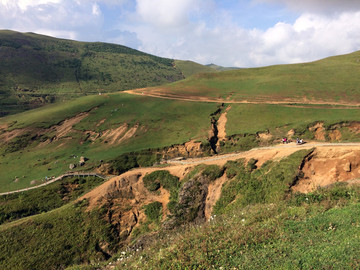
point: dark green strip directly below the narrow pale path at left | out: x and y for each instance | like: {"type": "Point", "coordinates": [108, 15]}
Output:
{"type": "Point", "coordinates": [44, 199]}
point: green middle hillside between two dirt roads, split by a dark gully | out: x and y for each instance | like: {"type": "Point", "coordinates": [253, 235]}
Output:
{"type": "Point", "coordinates": [45, 141]}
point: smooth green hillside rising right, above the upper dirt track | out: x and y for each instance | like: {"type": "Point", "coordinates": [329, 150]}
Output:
{"type": "Point", "coordinates": [329, 80]}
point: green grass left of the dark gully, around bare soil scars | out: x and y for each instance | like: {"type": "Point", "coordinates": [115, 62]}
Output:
{"type": "Point", "coordinates": [161, 123]}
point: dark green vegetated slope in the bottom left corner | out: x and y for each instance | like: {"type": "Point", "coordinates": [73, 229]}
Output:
{"type": "Point", "coordinates": [57, 239]}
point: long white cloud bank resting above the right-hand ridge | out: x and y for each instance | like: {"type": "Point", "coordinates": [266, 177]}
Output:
{"type": "Point", "coordinates": [310, 37]}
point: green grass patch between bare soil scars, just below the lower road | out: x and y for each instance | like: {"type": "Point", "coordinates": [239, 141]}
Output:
{"type": "Point", "coordinates": [268, 184]}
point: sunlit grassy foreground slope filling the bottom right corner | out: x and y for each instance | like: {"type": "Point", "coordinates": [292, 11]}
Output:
{"type": "Point", "coordinates": [319, 234]}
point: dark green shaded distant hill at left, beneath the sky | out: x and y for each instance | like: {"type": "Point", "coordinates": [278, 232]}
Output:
{"type": "Point", "coordinates": [36, 69]}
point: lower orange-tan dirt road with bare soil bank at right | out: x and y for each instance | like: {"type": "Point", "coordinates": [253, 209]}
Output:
{"type": "Point", "coordinates": [340, 161]}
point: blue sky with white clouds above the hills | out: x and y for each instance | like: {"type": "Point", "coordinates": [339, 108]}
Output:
{"type": "Point", "coordinates": [232, 33]}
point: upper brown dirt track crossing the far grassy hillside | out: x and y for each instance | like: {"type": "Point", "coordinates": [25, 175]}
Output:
{"type": "Point", "coordinates": [294, 103]}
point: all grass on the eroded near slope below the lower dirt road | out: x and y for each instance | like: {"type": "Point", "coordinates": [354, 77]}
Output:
{"type": "Point", "coordinates": [263, 225]}
